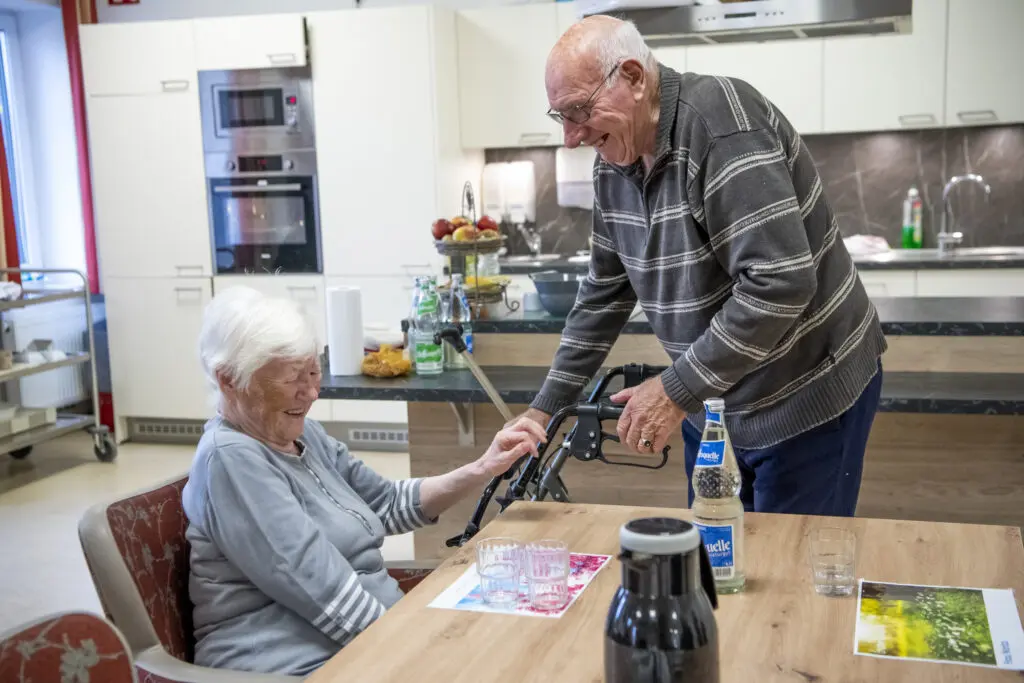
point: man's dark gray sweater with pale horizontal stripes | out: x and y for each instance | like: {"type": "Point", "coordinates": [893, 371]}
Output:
{"type": "Point", "coordinates": [734, 252]}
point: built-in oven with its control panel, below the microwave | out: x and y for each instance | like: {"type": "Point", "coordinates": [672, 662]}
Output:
{"type": "Point", "coordinates": [264, 214]}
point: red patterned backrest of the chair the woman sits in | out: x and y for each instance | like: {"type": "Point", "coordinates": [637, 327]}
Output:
{"type": "Point", "coordinates": [139, 557]}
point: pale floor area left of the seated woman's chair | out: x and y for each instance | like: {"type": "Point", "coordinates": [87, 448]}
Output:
{"type": "Point", "coordinates": [42, 499]}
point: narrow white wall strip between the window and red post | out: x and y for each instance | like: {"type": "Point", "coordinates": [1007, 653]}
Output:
{"type": "Point", "coordinates": [58, 217]}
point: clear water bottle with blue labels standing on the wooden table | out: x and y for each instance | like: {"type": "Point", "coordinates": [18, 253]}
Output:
{"type": "Point", "coordinates": [718, 511]}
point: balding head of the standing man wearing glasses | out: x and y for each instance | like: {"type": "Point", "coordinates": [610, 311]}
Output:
{"type": "Point", "coordinates": [603, 81]}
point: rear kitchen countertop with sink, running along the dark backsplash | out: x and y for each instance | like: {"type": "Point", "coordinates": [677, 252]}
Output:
{"type": "Point", "coordinates": [899, 260]}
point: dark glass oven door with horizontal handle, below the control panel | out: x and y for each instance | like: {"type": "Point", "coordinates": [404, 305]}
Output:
{"type": "Point", "coordinates": [266, 225]}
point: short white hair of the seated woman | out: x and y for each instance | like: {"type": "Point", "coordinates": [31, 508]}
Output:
{"type": "Point", "coordinates": [243, 330]}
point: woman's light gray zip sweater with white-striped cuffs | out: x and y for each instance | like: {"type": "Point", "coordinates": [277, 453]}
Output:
{"type": "Point", "coordinates": [286, 564]}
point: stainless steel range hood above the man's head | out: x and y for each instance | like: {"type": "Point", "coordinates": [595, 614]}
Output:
{"type": "Point", "coordinates": [668, 23]}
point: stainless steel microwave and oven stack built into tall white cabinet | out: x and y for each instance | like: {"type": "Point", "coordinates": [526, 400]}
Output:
{"type": "Point", "coordinates": [261, 158]}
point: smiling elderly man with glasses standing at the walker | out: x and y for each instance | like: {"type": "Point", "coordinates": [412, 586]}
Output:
{"type": "Point", "coordinates": [709, 210]}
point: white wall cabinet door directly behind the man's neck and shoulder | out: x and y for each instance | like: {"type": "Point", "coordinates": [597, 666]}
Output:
{"type": "Point", "coordinates": [790, 74]}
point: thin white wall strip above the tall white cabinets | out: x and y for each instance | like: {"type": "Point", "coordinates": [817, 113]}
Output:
{"type": "Point", "coordinates": [149, 11]}
